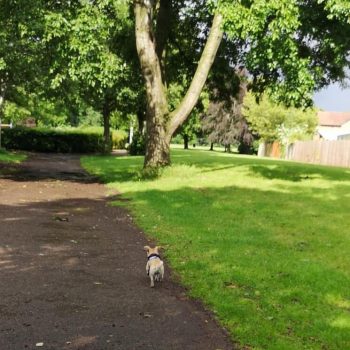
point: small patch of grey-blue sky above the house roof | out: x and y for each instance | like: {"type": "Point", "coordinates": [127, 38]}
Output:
{"type": "Point", "coordinates": [333, 98]}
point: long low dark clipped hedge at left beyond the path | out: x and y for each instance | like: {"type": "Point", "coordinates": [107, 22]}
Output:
{"type": "Point", "coordinates": [51, 140]}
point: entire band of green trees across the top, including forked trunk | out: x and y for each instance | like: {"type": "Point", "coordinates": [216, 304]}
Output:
{"type": "Point", "coordinates": [172, 66]}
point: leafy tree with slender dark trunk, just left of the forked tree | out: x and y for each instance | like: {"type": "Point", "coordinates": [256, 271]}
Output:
{"type": "Point", "coordinates": [93, 49]}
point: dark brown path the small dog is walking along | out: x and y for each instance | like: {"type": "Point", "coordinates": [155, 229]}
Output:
{"type": "Point", "coordinates": [72, 270]}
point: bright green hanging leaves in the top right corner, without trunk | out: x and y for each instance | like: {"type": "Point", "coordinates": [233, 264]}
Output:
{"type": "Point", "coordinates": [291, 47]}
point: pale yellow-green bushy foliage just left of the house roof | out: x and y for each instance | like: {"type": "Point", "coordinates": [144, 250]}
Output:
{"type": "Point", "coordinates": [272, 121]}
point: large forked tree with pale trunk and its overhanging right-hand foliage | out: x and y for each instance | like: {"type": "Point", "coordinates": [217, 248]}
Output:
{"type": "Point", "coordinates": [282, 43]}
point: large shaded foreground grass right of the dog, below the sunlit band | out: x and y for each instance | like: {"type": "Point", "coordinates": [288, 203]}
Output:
{"type": "Point", "coordinates": [268, 262]}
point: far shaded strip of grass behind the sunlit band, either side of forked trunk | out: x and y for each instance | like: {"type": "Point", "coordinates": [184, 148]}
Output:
{"type": "Point", "coordinates": [111, 169]}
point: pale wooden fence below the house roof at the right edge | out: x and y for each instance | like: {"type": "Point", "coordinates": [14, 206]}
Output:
{"type": "Point", "coordinates": [336, 153]}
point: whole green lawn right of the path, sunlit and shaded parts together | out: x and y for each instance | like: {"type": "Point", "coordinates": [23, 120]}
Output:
{"type": "Point", "coordinates": [265, 244]}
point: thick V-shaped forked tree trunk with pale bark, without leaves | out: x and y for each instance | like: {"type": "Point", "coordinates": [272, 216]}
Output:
{"type": "Point", "coordinates": [161, 124]}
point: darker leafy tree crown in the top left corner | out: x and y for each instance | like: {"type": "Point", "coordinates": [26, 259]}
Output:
{"type": "Point", "coordinates": [21, 49]}
